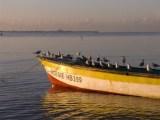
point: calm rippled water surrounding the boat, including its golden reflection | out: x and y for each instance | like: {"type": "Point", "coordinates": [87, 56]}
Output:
{"type": "Point", "coordinates": [26, 94]}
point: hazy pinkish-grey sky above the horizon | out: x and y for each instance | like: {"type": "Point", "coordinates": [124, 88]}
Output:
{"type": "Point", "coordinates": [102, 15]}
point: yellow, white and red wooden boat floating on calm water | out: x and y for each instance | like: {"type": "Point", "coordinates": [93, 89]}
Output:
{"type": "Point", "coordinates": [82, 74]}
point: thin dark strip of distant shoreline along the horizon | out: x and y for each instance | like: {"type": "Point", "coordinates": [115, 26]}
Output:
{"type": "Point", "coordinates": [77, 33]}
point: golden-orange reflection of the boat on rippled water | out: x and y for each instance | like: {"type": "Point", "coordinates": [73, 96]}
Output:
{"type": "Point", "coordinates": [63, 103]}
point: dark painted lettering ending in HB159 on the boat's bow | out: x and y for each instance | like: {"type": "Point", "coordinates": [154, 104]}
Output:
{"type": "Point", "coordinates": [66, 76]}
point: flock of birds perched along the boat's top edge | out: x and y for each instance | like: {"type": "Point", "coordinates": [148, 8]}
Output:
{"type": "Point", "coordinates": [99, 62]}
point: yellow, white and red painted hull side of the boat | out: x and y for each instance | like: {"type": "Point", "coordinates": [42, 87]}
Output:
{"type": "Point", "coordinates": [85, 78]}
